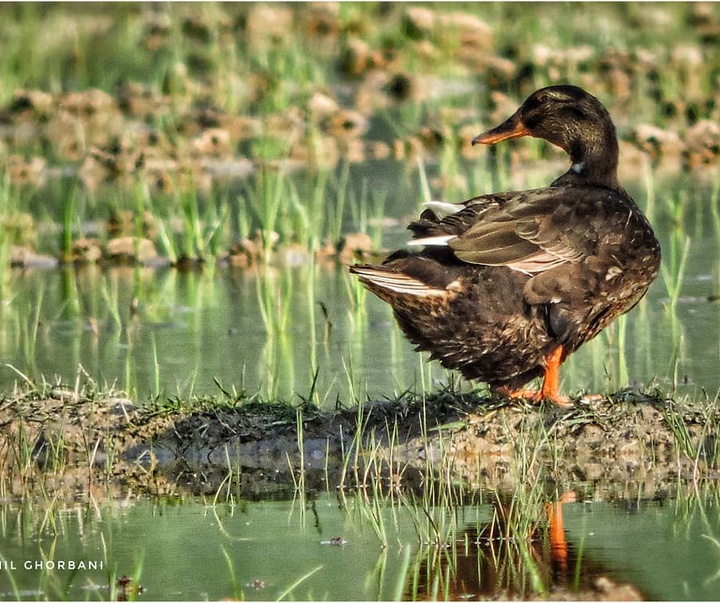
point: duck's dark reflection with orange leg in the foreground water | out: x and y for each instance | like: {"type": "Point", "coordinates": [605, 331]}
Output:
{"type": "Point", "coordinates": [495, 560]}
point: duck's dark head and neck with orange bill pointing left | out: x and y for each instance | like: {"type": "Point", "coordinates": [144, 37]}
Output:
{"type": "Point", "coordinates": [569, 118]}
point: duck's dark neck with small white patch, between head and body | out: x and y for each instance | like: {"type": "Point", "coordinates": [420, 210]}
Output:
{"type": "Point", "coordinates": [594, 161]}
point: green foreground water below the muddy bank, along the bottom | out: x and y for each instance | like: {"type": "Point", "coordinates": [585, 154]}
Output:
{"type": "Point", "coordinates": [190, 550]}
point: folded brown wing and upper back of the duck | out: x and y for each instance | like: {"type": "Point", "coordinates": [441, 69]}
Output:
{"type": "Point", "coordinates": [571, 241]}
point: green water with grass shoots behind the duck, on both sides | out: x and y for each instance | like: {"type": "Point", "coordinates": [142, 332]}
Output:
{"type": "Point", "coordinates": [192, 329]}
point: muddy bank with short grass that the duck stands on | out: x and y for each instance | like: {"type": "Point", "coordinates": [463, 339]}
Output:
{"type": "Point", "coordinates": [640, 441]}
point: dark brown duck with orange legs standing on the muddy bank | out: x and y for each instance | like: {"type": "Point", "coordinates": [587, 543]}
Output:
{"type": "Point", "coordinates": [505, 286]}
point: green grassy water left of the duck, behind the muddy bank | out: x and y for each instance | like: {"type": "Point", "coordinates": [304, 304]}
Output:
{"type": "Point", "coordinates": [165, 332]}
